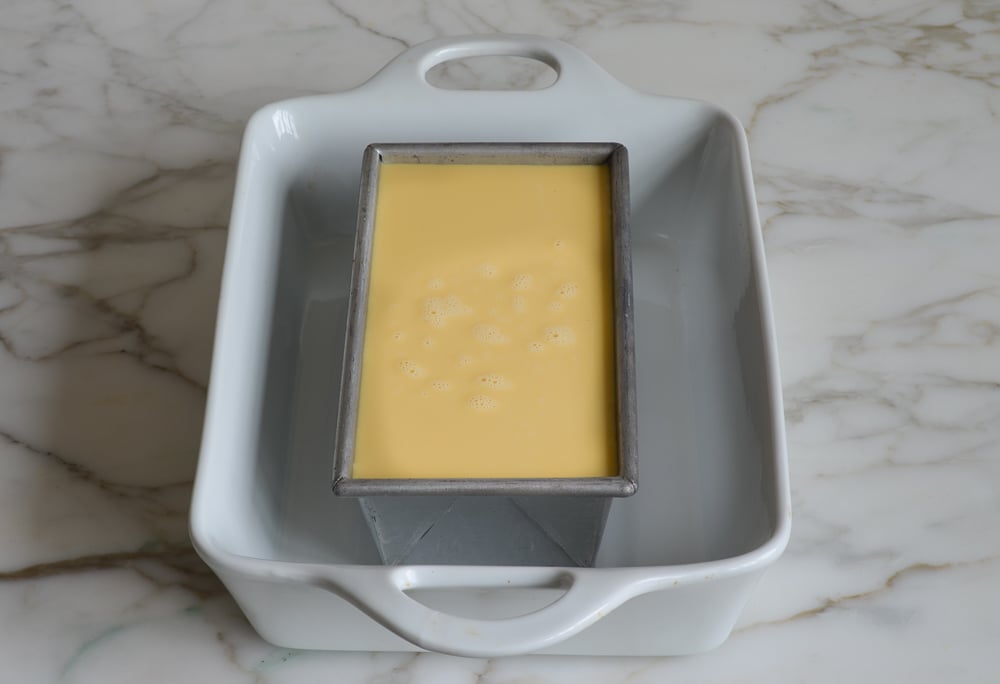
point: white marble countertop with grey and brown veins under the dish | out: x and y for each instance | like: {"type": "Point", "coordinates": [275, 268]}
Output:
{"type": "Point", "coordinates": [875, 136]}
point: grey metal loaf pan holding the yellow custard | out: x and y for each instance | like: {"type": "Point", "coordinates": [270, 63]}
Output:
{"type": "Point", "coordinates": [538, 521]}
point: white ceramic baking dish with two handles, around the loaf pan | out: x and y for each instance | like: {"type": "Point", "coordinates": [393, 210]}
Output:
{"type": "Point", "coordinates": [679, 558]}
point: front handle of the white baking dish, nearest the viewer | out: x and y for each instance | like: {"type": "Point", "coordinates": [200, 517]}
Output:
{"type": "Point", "coordinates": [590, 594]}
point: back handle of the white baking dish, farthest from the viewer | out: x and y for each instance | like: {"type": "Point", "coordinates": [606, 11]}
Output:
{"type": "Point", "coordinates": [576, 73]}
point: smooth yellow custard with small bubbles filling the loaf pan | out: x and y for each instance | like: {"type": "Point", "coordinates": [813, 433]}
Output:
{"type": "Point", "coordinates": [489, 344]}
